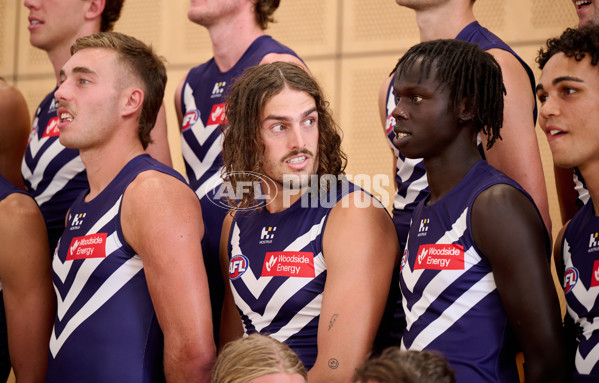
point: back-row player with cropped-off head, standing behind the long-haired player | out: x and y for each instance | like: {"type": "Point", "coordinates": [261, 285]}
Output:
{"type": "Point", "coordinates": [236, 30]}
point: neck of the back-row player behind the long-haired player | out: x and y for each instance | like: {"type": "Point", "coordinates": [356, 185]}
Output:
{"type": "Point", "coordinates": [232, 38]}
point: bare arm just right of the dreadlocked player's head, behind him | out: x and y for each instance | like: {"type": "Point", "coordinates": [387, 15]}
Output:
{"type": "Point", "coordinates": [518, 154]}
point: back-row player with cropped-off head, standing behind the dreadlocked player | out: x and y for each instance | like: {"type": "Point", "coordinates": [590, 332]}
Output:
{"type": "Point", "coordinates": [517, 154]}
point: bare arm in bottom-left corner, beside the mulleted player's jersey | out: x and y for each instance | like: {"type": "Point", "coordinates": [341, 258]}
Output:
{"type": "Point", "coordinates": [29, 298]}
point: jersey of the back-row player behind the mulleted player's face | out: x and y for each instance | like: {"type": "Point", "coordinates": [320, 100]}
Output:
{"type": "Point", "coordinates": [53, 174]}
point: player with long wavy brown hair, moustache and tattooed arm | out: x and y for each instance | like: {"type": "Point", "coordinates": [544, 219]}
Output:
{"type": "Point", "coordinates": [308, 255]}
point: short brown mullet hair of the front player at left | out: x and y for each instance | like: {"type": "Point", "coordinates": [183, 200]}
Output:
{"type": "Point", "coordinates": [144, 66]}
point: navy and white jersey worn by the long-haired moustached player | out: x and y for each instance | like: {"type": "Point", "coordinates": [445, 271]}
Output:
{"type": "Point", "coordinates": [277, 269]}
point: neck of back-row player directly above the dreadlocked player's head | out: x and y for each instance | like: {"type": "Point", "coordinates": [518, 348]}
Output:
{"type": "Point", "coordinates": [444, 21]}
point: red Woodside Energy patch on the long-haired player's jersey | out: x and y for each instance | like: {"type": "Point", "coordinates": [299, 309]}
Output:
{"type": "Point", "coordinates": [289, 264]}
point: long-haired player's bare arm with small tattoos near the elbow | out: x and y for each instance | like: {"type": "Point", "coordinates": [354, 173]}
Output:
{"type": "Point", "coordinates": [360, 248]}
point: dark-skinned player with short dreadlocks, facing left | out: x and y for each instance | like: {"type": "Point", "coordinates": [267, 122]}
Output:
{"type": "Point", "coordinates": [475, 275]}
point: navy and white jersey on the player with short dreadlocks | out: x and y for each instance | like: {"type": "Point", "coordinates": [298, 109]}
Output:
{"type": "Point", "coordinates": [450, 298]}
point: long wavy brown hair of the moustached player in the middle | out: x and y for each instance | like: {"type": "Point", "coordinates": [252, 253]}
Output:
{"type": "Point", "coordinates": [243, 146]}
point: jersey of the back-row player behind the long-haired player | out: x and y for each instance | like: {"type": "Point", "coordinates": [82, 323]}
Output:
{"type": "Point", "coordinates": [203, 107]}
